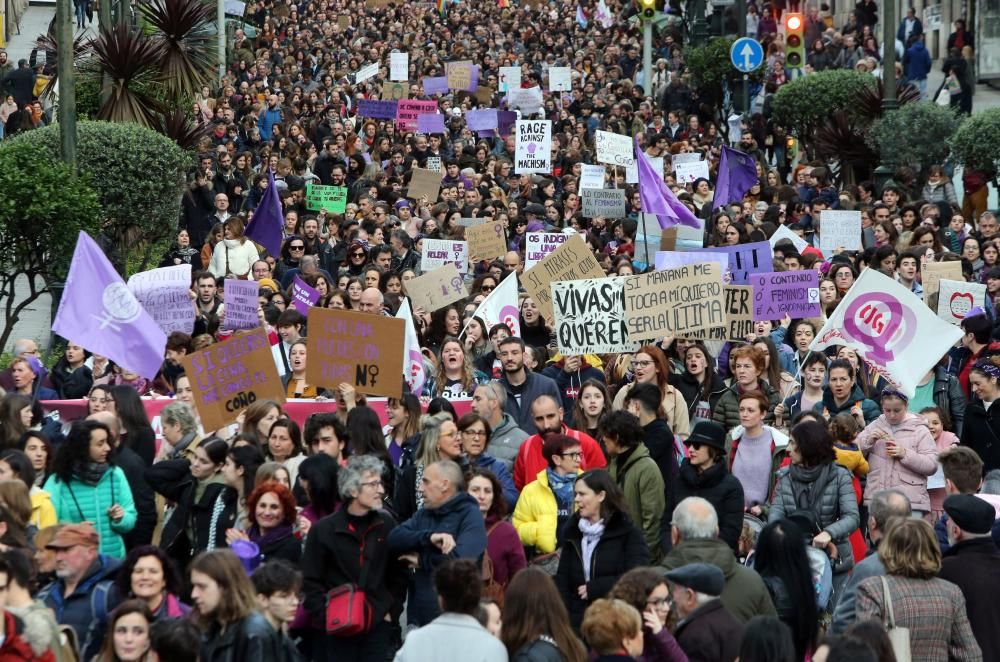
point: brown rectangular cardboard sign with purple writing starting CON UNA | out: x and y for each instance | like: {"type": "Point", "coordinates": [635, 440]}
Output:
{"type": "Point", "coordinates": [360, 349]}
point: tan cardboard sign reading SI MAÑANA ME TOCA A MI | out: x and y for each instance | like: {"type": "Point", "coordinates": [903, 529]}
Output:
{"type": "Point", "coordinates": [680, 301]}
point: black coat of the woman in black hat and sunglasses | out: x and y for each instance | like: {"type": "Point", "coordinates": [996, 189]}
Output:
{"type": "Point", "coordinates": [717, 486]}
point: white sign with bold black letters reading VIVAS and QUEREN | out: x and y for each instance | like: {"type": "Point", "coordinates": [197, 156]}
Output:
{"type": "Point", "coordinates": [590, 316]}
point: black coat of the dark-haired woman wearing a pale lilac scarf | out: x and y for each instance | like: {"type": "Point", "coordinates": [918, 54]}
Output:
{"type": "Point", "coordinates": [620, 549]}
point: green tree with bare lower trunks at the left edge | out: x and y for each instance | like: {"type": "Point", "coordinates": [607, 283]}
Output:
{"type": "Point", "coordinates": [42, 210]}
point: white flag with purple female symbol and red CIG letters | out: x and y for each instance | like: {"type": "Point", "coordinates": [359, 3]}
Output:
{"type": "Point", "coordinates": [880, 320]}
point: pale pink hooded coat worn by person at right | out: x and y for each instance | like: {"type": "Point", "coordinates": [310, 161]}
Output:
{"type": "Point", "coordinates": [909, 474]}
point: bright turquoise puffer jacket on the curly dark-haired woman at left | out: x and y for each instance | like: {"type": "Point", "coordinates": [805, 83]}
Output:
{"type": "Point", "coordinates": [78, 502]}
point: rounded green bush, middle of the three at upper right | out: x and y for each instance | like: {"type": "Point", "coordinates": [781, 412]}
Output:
{"type": "Point", "coordinates": [916, 134]}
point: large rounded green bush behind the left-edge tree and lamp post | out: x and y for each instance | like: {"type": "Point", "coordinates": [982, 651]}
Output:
{"type": "Point", "coordinates": [138, 175]}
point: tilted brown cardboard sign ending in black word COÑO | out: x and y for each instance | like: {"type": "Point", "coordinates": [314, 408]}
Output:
{"type": "Point", "coordinates": [228, 377]}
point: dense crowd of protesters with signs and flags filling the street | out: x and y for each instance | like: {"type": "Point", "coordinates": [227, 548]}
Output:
{"type": "Point", "coordinates": [480, 342]}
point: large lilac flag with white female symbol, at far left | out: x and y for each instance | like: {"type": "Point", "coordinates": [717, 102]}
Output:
{"type": "Point", "coordinates": [100, 313]}
